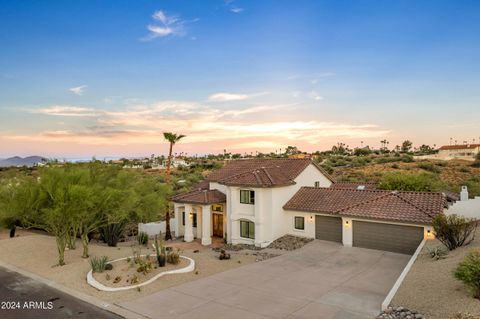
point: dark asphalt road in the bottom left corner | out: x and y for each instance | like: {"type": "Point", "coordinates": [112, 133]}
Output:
{"type": "Point", "coordinates": [36, 300]}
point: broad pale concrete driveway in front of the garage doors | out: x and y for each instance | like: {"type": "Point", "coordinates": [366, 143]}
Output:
{"type": "Point", "coordinates": [322, 280]}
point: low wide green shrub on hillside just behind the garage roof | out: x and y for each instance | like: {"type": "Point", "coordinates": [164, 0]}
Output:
{"type": "Point", "coordinates": [424, 182]}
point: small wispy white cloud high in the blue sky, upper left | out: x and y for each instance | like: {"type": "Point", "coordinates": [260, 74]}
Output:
{"type": "Point", "coordinates": [165, 25]}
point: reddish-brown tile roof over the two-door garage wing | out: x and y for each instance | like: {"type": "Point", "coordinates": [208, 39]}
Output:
{"type": "Point", "coordinates": [414, 207]}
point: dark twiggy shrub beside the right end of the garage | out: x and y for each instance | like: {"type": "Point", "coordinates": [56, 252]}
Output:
{"type": "Point", "coordinates": [454, 231]}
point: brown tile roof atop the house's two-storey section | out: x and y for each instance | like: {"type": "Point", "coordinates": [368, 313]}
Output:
{"type": "Point", "coordinates": [263, 172]}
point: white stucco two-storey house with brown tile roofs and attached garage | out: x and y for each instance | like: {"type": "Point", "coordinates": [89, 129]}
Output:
{"type": "Point", "coordinates": [255, 201]}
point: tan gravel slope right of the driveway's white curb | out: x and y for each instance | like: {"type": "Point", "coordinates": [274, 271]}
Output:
{"type": "Point", "coordinates": [431, 289]}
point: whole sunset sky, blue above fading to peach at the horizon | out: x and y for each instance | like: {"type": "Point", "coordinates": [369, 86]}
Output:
{"type": "Point", "coordinates": [106, 78]}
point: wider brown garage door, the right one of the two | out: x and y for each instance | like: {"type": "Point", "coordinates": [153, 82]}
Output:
{"type": "Point", "coordinates": [395, 238]}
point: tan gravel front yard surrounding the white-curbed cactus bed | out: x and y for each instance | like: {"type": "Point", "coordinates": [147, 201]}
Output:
{"type": "Point", "coordinates": [37, 253]}
